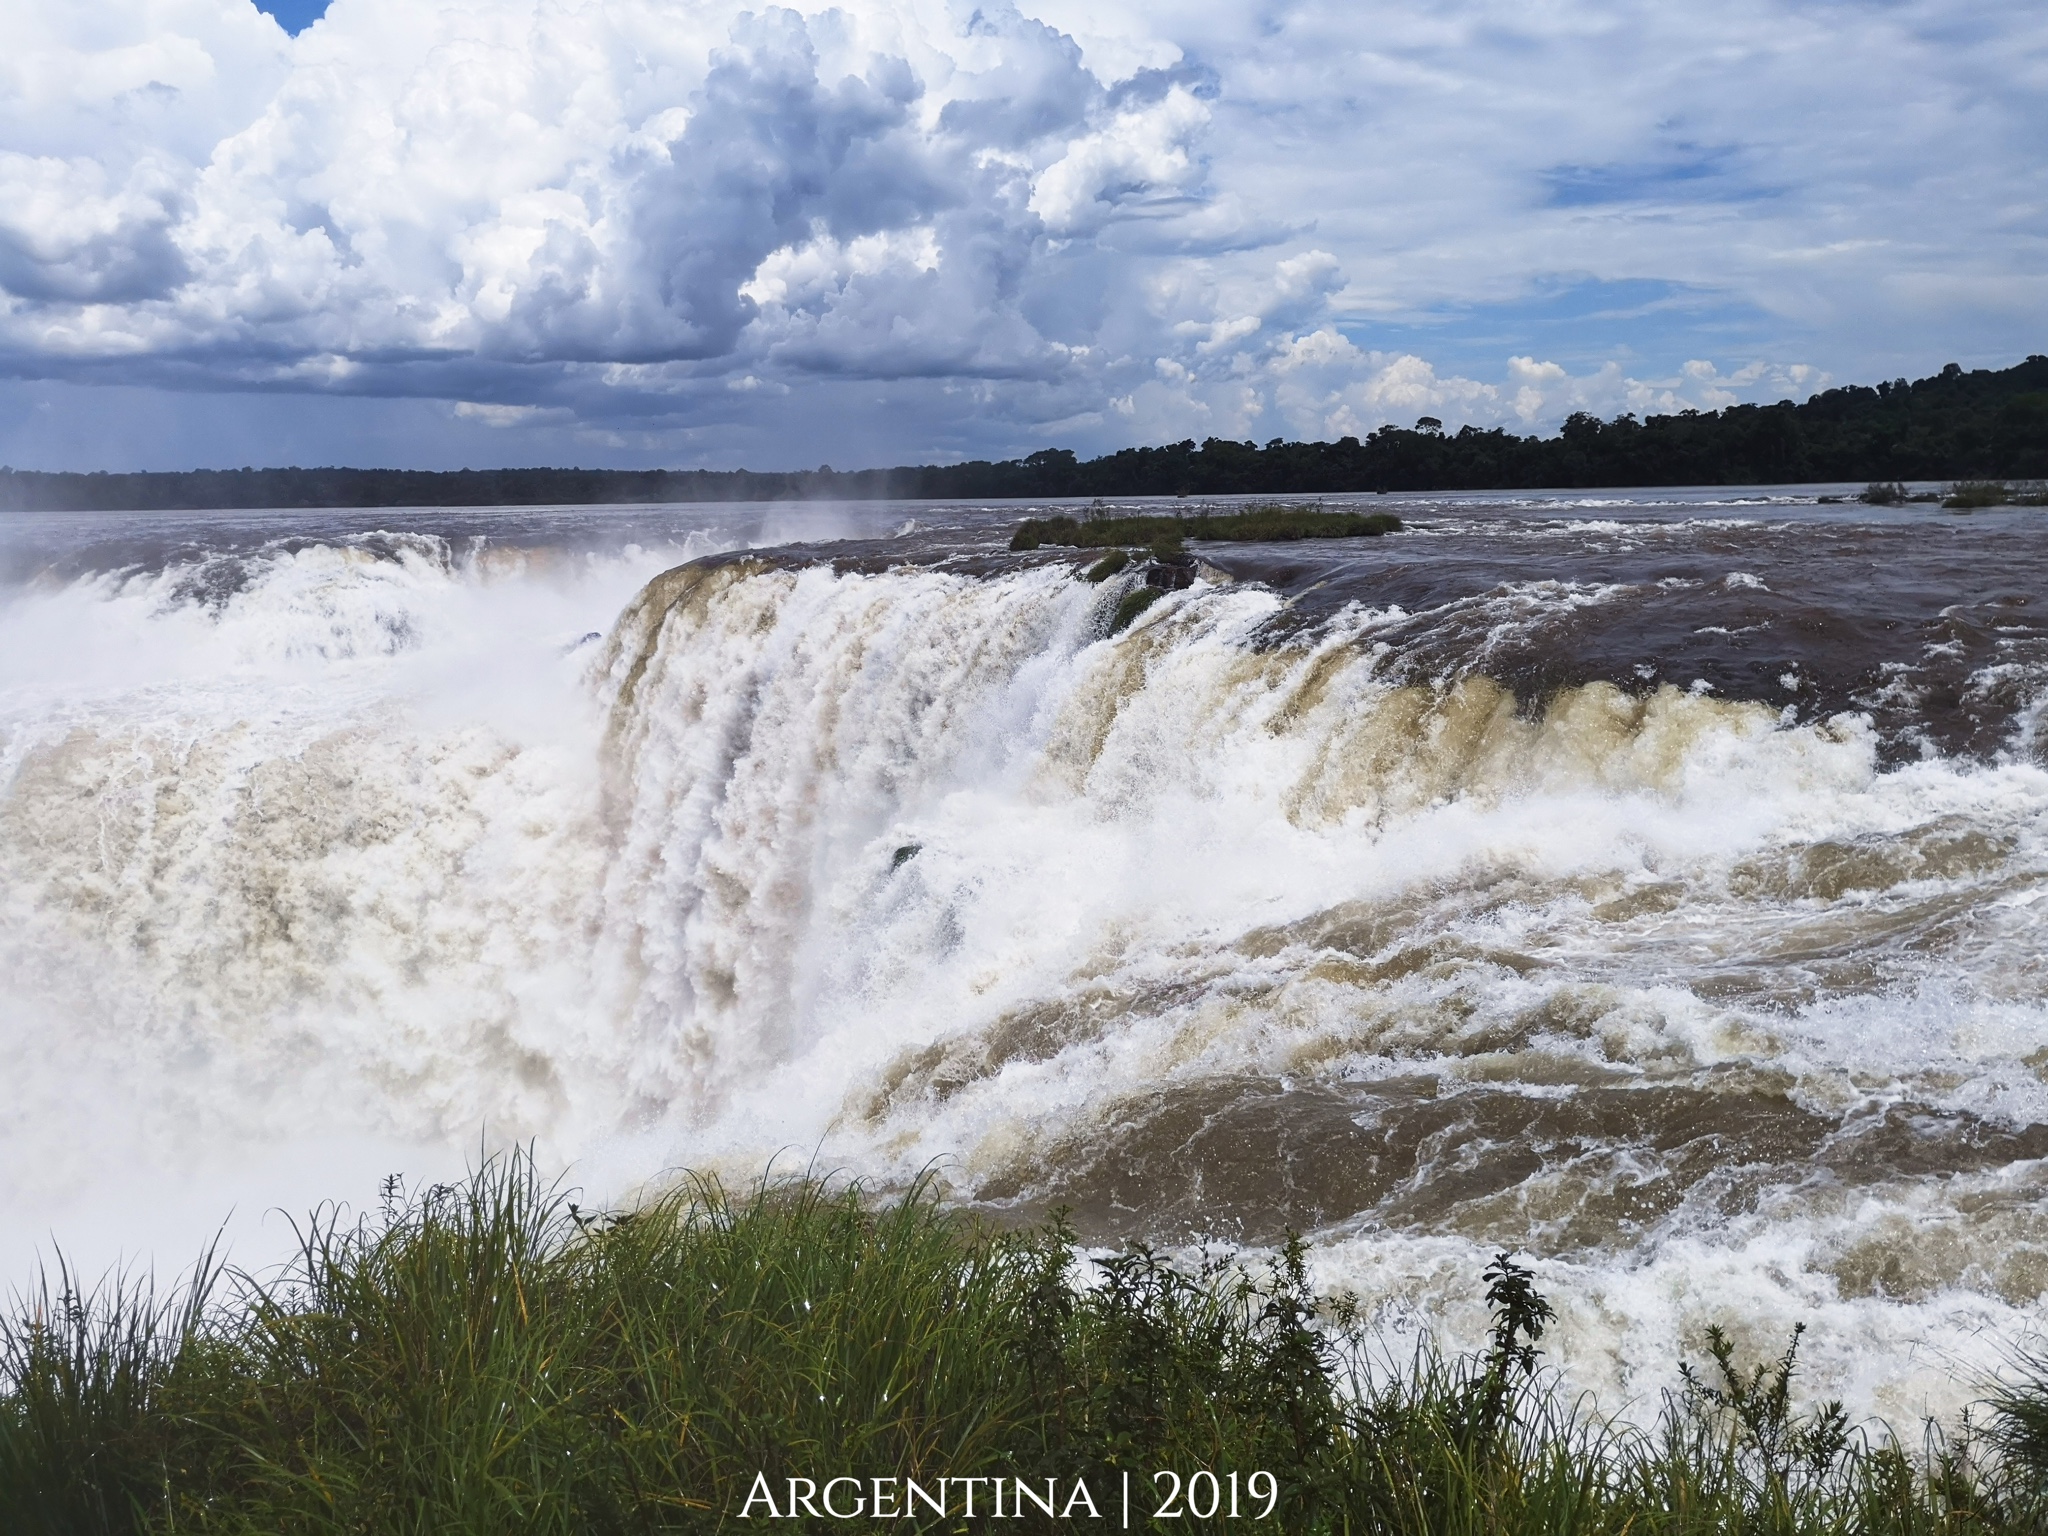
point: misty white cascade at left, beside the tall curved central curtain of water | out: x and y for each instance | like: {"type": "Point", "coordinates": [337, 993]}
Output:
{"type": "Point", "coordinates": [300, 857]}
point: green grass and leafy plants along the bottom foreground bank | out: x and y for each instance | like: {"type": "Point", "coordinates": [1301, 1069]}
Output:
{"type": "Point", "coordinates": [488, 1359]}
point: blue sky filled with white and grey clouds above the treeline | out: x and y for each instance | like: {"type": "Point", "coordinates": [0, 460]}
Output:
{"type": "Point", "coordinates": [697, 232]}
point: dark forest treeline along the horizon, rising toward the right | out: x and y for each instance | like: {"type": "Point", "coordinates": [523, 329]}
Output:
{"type": "Point", "coordinates": [1957, 425]}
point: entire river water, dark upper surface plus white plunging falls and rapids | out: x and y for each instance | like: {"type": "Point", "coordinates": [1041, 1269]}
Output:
{"type": "Point", "coordinates": [1646, 882]}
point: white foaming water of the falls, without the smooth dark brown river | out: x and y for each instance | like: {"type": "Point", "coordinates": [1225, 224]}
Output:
{"type": "Point", "coordinates": [366, 863]}
